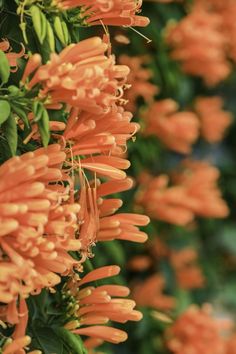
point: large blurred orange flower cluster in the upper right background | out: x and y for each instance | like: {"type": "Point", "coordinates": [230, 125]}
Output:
{"type": "Point", "coordinates": [200, 45]}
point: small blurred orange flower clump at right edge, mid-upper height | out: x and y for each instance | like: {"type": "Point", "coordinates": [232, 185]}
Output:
{"type": "Point", "coordinates": [211, 115]}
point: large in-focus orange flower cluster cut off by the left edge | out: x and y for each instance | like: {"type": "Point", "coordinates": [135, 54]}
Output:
{"type": "Point", "coordinates": [37, 225]}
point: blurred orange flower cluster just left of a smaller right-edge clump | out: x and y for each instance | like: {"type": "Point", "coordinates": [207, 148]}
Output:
{"type": "Point", "coordinates": [177, 130]}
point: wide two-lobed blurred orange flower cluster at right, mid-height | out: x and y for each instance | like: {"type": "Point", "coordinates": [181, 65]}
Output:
{"type": "Point", "coordinates": [194, 193]}
